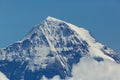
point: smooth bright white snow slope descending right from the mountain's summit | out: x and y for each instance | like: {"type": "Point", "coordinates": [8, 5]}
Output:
{"type": "Point", "coordinates": [83, 34]}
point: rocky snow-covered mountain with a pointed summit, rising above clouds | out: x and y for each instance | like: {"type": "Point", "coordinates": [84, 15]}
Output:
{"type": "Point", "coordinates": [51, 48]}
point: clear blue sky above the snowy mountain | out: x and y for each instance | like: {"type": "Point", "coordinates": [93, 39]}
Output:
{"type": "Point", "coordinates": [100, 17]}
